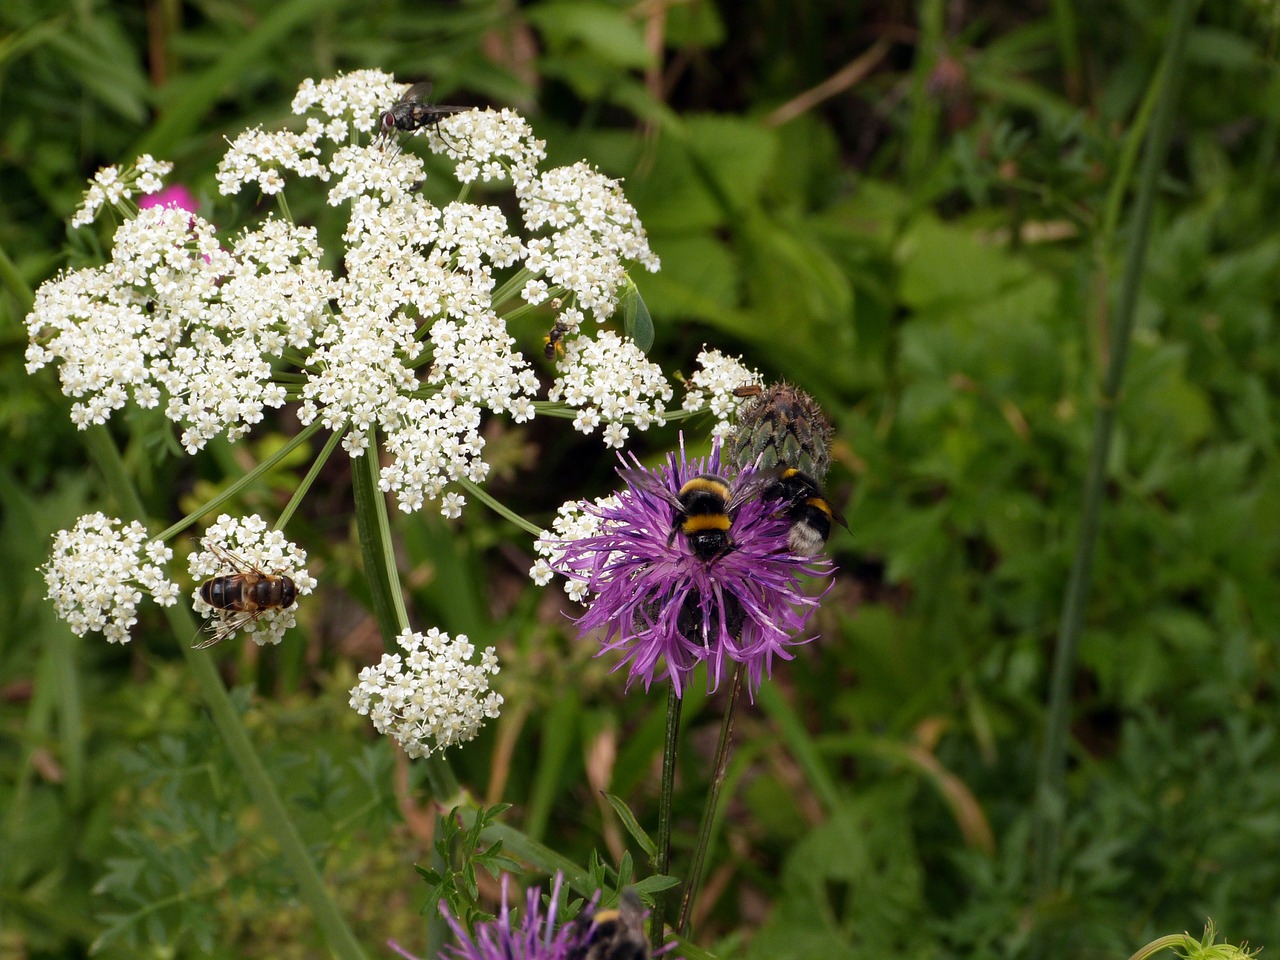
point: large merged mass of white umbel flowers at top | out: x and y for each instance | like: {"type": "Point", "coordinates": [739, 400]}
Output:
{"type": "Point", "coordinates": [408, 340]}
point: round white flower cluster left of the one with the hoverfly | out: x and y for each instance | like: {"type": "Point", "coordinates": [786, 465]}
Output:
{"type": "Point", "coordinates": [100, 570]}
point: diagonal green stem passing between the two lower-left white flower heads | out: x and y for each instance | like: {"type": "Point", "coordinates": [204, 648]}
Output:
{"type": "Point", "coordinates": [276, 820]}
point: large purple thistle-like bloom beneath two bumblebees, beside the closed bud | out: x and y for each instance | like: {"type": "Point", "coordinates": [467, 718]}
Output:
{"type": "Point", "coordinates": [665, 609]}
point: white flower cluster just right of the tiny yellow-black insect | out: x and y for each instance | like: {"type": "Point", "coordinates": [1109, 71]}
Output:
{"type": "Point", "coordinates": [610, 381]}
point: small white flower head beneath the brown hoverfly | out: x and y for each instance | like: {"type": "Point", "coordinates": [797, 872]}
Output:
{"type": "Point", "coordinates": [246, 547]}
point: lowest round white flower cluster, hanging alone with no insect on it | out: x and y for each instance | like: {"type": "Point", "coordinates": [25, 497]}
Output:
{"type": "Point", "coordinates": [432, 697]}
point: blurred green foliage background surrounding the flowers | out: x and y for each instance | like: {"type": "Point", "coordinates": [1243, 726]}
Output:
{"type": "Point", "coordinates": [931, 250]}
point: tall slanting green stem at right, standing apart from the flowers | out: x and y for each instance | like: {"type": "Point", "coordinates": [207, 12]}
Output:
{"type": "Point", "coordinates": [1050, 801]}
